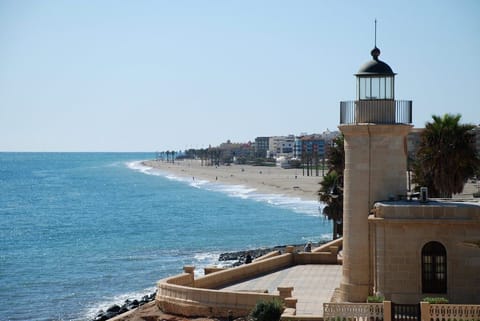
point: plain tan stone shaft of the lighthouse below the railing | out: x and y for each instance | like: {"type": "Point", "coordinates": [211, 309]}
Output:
{"type": "Point", "coordinates": [375, 169]}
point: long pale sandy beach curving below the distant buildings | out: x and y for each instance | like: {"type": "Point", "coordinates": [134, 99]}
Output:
{"type": "Point", "coordinates": [265, 180]}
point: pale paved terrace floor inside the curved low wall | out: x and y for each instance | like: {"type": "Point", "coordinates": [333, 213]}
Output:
{"type": "Point", "coordinates": [313, 285]}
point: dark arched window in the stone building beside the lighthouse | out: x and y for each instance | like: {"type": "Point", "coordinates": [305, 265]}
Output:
{"type": "Point", "coordinates": [434, 268]}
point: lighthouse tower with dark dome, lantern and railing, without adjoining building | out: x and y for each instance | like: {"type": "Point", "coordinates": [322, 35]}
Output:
{"type": "Point", "coordinates": [375, 127]}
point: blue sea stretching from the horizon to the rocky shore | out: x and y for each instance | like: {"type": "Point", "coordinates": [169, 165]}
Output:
{"type": "Point", "coordinates": [82, 231]}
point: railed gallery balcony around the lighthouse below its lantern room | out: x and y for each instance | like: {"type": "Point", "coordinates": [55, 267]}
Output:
{"type": "Point", "coordinates": [376, 111]}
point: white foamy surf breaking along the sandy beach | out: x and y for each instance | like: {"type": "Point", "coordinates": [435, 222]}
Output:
{"type": "Point", "coordinates": [295, 204]}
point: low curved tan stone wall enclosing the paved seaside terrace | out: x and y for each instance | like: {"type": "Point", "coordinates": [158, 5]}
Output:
{"type": "Point", "coordinates": [184, 295]}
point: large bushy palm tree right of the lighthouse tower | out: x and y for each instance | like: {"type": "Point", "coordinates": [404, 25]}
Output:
{"type": "Point", "coordinates": [446, 157]}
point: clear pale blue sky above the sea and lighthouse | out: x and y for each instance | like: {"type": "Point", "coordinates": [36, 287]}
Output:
{"type": "Point", "coordinates": [157, 75]}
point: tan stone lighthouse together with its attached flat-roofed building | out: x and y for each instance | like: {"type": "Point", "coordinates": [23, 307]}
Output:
{"type": "Point", "coordinates": [402, 249]}
